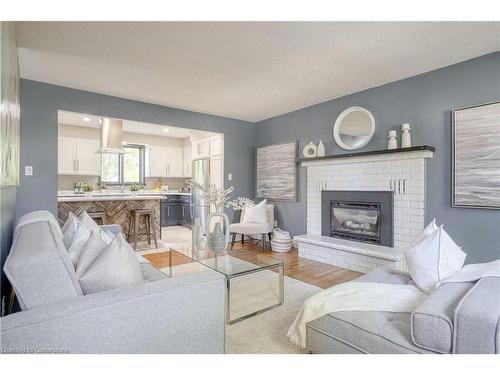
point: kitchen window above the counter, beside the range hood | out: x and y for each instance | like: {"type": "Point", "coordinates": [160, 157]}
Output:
{"type": "Point", "coordinates": [126, 168]}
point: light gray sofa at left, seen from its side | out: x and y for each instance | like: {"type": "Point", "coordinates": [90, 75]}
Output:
{"type": "Point", "coordinates": [162, 315]}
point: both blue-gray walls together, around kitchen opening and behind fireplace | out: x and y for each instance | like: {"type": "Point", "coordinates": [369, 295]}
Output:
{"type": "Point", "coordinates": [425, 101]}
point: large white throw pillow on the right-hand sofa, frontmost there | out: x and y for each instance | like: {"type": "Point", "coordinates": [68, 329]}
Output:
{"type": "Point", "coordinates": [433, 259]}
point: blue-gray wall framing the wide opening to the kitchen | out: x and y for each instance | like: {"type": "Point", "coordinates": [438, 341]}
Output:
{"type": "Point", "coordinates": [40, 103]}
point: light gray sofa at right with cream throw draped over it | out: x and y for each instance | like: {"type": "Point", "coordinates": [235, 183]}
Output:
{"type": "Point", "coordinates": [455, 318]}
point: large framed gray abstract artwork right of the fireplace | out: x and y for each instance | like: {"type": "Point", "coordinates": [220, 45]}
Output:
{"type": "Point", "coordinates": [476, 156]}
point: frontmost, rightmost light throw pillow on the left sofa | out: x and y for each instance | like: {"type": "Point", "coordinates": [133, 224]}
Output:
{"type": "Point", "coordinates": [115, 267]}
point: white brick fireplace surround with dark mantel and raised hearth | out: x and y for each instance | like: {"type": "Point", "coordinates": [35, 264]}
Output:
{"type": "Point", "coordinates": [402, 172]}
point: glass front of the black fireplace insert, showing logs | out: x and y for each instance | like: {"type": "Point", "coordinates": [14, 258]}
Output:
{"type": "Point", "coordinates": [358, 221]}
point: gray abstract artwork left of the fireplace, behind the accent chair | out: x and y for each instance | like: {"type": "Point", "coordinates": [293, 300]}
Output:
{"type": "Point", "coordinates": [277, 172]}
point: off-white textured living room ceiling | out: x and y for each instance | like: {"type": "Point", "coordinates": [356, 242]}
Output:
{"type": "Point", "coordinates": [244, 70]}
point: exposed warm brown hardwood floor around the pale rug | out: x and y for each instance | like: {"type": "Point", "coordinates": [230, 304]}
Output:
{"type": "Point", "coordinates": [308, 271]}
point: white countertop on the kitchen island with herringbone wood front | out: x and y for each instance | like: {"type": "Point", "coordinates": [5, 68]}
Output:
{"type": "Point", "coordinates": [69, 196]}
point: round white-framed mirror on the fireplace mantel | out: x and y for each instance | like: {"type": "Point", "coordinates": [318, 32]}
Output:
{"type": "Point", "coordinates": [354, 128]}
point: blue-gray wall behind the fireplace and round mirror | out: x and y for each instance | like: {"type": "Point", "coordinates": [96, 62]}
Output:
{"type": "Point", "coordinates": [425, 101]}
